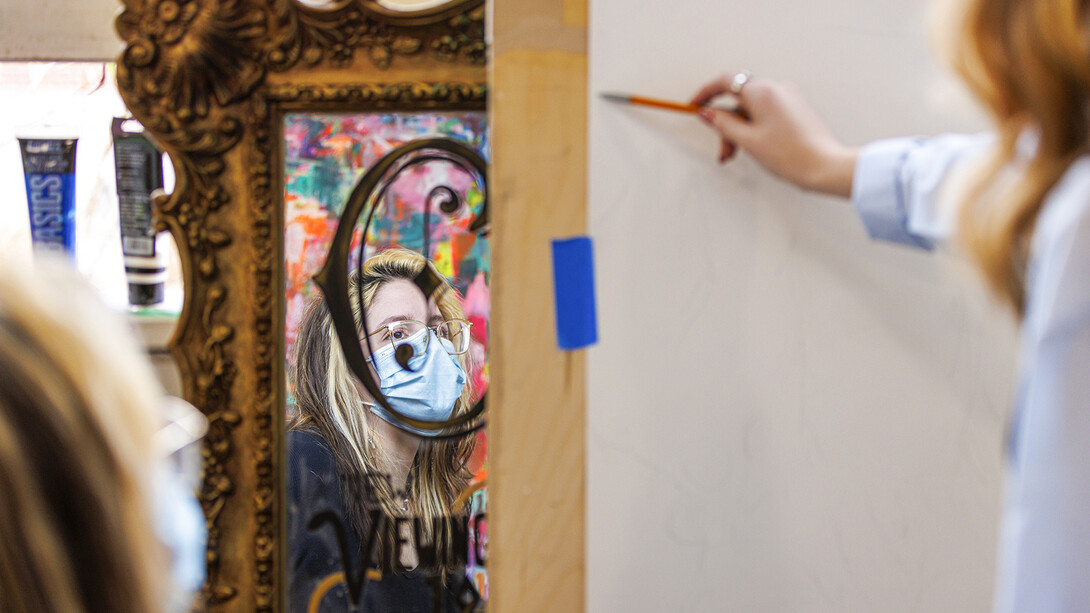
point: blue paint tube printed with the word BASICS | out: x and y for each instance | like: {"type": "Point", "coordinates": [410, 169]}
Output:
{"type": "Point", "coordinates": [50, 171]}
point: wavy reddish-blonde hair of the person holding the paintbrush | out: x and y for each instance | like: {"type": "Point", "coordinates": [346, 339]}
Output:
{"type": "Point", "coordinates": [1030, 63]}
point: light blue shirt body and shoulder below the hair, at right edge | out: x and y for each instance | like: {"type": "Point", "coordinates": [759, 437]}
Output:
{"type": "Point", "coordinates": [1046, 540]}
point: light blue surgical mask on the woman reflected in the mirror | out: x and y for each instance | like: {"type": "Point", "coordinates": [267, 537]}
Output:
{"type": "Point", "coordinates": [428, 390]}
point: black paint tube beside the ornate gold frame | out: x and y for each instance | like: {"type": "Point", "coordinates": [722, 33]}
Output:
{"type": "Point", "coordinates": [139, 165]}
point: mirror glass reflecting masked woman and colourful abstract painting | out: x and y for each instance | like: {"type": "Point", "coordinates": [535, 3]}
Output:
{"type": "Point", "coordinates": [386, 504]}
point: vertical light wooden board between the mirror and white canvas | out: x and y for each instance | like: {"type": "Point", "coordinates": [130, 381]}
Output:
{"type": "Point", "coordinates": [538, 425]}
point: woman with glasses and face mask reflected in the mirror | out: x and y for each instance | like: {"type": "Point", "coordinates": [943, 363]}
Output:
{"type": "Point", "coordinates": [390, 486]}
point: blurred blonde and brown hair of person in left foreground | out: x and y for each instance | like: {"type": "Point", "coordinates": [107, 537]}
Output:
{"type": "Point", "coordinates": [78, 419]}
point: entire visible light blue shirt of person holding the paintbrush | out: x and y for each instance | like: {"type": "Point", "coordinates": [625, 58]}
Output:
{"type": "Point", "coordinates": [1045, 545]}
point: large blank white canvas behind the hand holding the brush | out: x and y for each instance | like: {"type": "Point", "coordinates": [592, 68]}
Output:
{"type": "Point", "coordinates": [783, 415]}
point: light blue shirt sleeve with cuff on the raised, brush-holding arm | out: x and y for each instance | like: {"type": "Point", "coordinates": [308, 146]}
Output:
{"type": "Point", "coordinates": [898, 184]}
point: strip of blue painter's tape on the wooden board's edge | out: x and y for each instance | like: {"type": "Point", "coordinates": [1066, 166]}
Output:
{"type": "Point", "coordinates": [577, 321]}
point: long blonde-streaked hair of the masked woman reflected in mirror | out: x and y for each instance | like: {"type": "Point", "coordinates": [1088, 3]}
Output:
{"type": "Point", "coordinates": [330, 403]}
